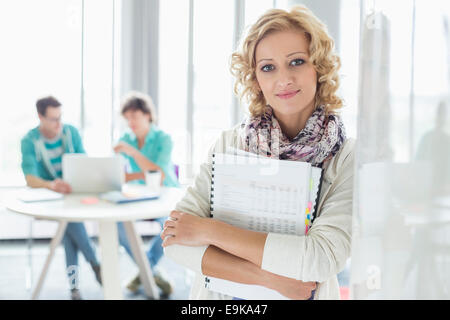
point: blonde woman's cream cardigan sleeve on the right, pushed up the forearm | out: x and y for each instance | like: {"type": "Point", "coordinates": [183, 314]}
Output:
{"type": "Point", "coordinates": [323, 252]}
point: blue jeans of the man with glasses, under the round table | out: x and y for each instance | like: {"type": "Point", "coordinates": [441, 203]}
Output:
{"type": "Point", "coordinates": [76, 239]}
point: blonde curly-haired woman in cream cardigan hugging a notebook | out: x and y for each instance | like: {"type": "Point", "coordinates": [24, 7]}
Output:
{"type": "Point", "coordinates": [287, 70]}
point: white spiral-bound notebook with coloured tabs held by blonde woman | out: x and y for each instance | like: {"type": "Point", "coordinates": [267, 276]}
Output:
{"type": "Point", "coordinates": [261, 194]}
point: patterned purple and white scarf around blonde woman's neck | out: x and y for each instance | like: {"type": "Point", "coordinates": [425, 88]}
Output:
{"type": "Point", "coordinates": [320, 140]}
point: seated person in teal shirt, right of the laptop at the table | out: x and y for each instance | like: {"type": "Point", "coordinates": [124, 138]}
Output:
{"type": "Point", "coordinates": [146, 148]}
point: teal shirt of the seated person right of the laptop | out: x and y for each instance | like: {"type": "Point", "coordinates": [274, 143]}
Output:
{"type": "Point", "coordinates": [158, 149]}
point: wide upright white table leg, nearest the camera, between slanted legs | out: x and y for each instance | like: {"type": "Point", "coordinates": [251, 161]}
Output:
{"type": "Point", "coordinates": [110, 260]}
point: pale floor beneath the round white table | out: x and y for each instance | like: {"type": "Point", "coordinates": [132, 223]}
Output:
{"type": "Point", "coordinates": [15, 277]}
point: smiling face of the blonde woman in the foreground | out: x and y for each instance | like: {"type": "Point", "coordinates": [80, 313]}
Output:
{"type": "Point", "coordinates": [284, 74]}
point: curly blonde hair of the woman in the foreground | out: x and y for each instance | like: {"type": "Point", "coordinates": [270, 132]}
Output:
{"type": "Point", "coordinates": [321, 50]}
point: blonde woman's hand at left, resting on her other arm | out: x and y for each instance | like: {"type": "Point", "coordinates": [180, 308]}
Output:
{"type": "Point", "coordinates": [186, 229]}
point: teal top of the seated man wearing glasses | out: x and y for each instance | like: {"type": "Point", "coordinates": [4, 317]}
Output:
{"type": "Point", "coordinates": [42, 158]}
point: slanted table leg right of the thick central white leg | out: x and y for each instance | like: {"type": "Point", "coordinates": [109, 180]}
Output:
{"type": "Point", "coordinates": [145, 272]}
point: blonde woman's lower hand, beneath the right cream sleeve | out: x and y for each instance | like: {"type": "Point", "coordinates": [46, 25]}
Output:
{"type": "Point", "coordinates": [288, 287]}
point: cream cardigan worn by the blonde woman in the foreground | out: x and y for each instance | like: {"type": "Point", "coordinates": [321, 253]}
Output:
{"type": "Point", "coordinates": [318, 256]}
